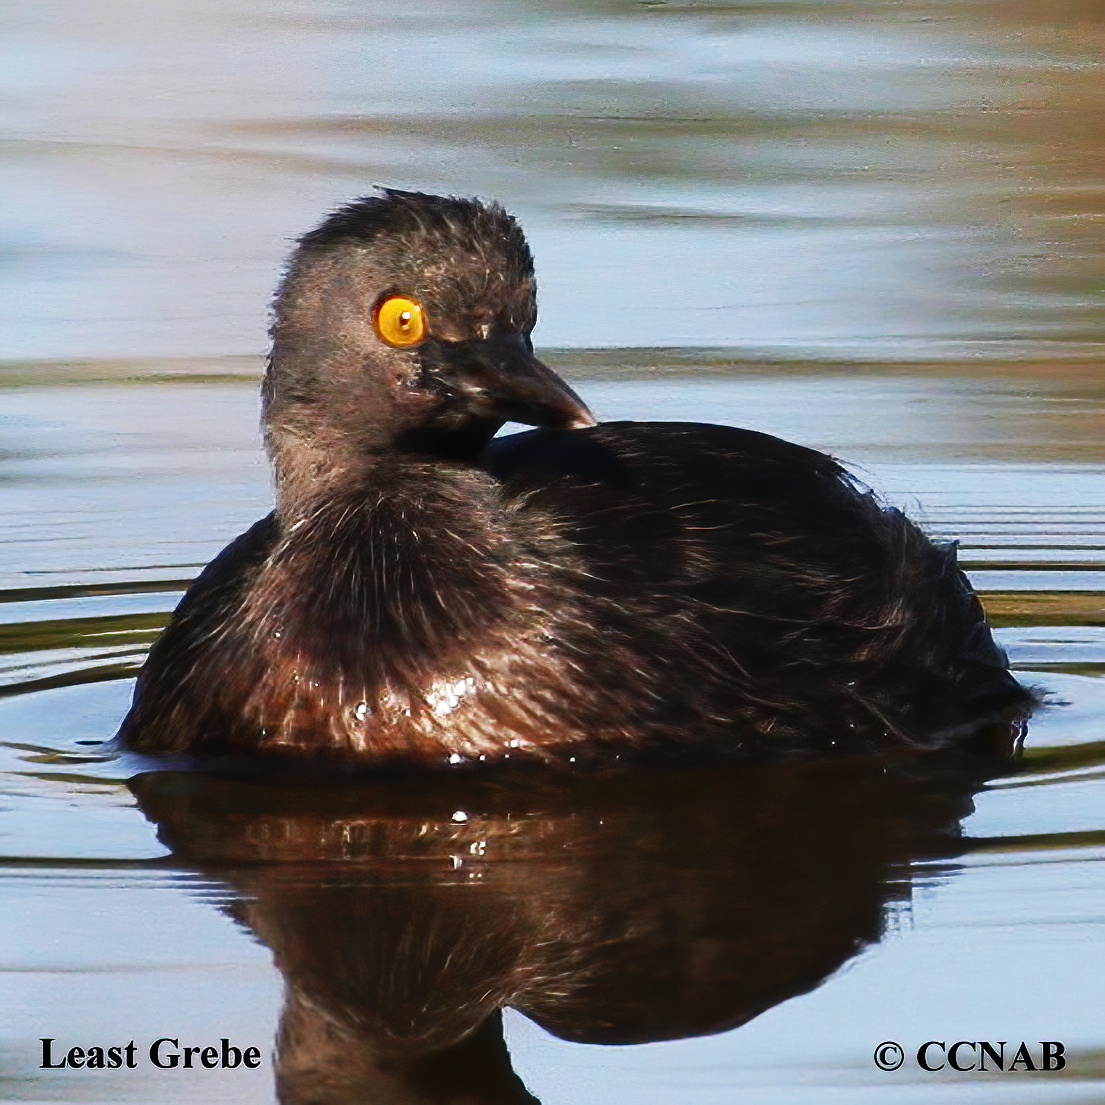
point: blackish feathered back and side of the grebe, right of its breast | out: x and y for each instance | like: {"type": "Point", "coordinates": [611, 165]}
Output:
{"type": "Point", "coordinates": [762, 588]}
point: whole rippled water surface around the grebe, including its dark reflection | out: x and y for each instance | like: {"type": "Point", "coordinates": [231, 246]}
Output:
{"type": "Point", "coordinates": [872, 229]}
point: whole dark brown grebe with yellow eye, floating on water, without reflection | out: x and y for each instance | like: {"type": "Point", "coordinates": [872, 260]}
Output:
{"type": "Point", "coordinates": [424, 594]}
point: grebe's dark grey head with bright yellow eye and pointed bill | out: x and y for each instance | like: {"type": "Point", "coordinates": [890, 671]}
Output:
{"type": "Point", "coordinates": [403, 325]}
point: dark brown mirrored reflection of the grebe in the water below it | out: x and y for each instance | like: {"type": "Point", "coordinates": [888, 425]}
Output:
{"type": "Point", "coordinates": [405, 914]}
